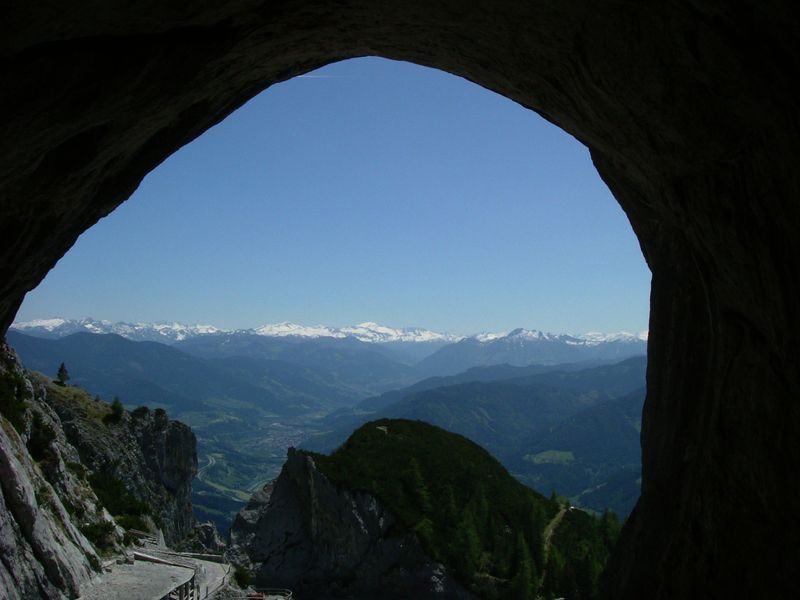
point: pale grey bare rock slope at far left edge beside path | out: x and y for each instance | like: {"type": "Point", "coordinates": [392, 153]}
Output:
{"type": "Point", "coordinates": [43, 554]}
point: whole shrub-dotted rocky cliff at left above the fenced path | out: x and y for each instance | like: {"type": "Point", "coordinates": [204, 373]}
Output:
{"type": "Point", "coordinates": [53, 527]}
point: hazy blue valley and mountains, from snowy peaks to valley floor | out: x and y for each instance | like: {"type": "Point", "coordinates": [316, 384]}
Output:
{"type": "Point", "coordinates": [251, 394]}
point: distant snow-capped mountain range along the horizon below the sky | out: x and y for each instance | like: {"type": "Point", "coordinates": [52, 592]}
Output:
{"type": "Point", "coordinates": [431, 352]}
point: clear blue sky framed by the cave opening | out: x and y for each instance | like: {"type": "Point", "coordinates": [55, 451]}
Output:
{"type": "Point", "coordinates": [371, 190]}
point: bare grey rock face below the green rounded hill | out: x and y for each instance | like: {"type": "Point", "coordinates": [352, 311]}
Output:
{"type": "Point", "coordinates": [304, 533]}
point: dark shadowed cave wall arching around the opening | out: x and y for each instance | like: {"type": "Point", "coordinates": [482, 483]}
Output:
{"type": "Point", "coordinates": [688, 108]}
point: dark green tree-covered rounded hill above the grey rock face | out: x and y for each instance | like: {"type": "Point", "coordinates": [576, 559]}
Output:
{"type": "Point", "coordinates": [468, 512]}
